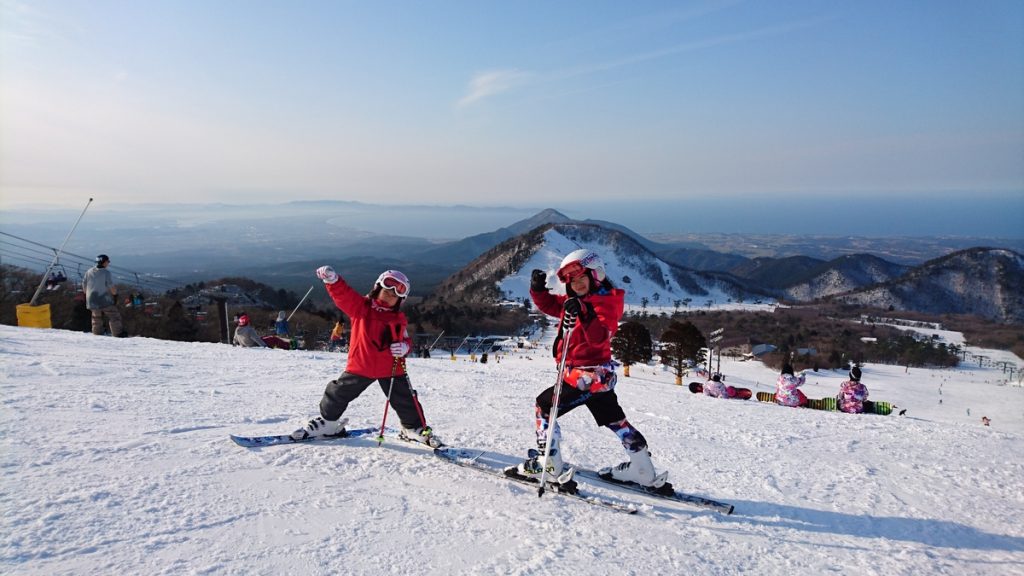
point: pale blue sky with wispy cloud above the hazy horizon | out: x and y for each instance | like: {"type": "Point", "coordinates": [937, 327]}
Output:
{"type": "Point", "coordinates": [545, 104]}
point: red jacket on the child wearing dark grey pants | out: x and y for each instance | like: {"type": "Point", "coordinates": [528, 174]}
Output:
{"type": "Point", "coordinates": [372, 334]}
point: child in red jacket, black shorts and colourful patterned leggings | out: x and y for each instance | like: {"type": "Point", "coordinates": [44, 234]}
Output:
{"type": "Point", "coordinates": [594, 308]}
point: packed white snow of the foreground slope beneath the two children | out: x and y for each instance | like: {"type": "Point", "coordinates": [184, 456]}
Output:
{"type": "Point", "coordinates": [117, 461]}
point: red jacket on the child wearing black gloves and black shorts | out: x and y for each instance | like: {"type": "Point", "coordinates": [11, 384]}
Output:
{"type": "Point", "coordinates": [590, 344]}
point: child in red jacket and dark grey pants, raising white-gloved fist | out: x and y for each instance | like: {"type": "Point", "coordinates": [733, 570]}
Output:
{"type": "Point", "coordinates": [378, 344]}
